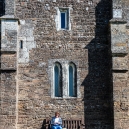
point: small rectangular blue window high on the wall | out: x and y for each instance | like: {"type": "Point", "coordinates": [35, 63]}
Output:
{"type": "Point", "coordinates": [64, 18]}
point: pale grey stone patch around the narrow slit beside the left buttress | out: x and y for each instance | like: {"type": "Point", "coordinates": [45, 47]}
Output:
{"type": "Point", "coordinates": [25, 35]}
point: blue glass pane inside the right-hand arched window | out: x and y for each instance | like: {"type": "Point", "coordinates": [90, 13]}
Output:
{"type": "Point", "coordinates": [71, 83]}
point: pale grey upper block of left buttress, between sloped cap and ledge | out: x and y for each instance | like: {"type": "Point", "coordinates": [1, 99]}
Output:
{"type": "Point", "coordinates": [9, 30]}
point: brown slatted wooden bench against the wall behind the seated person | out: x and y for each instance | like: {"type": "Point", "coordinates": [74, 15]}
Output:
{"type": "Point", "coordinates": [67, 123]}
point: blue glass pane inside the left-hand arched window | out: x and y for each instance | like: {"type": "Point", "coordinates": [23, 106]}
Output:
{"type": "Point", "coordinates": [56, 71]}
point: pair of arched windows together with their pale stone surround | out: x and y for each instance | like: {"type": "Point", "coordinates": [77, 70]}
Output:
{"type": "Point", "coordinates": [64, 78]}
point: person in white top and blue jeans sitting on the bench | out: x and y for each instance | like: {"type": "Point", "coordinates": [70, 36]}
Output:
{"type": "Point", "coordinates": [56, 121]}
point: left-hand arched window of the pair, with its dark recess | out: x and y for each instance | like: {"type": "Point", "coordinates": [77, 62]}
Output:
{"type": "Point", "coordinates": [57, 80]}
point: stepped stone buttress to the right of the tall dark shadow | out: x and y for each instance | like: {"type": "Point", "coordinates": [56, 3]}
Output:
{"type": "Point", "coordinates": [119, 49]}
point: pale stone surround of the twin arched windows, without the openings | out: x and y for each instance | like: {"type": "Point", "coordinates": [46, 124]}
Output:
{"type": "Point", "coordinates": [65, 69]}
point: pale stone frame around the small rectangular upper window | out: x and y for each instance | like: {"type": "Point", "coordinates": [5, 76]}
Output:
{"type": "Point", "coordinates": [58, 18]}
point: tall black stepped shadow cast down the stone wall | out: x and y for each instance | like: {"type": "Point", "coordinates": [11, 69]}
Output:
{"type": "Point", "coordinates": [98, 85]}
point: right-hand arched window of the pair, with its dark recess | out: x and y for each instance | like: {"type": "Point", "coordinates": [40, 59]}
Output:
{"type": "Point", "coordinates": [72, 80]}
